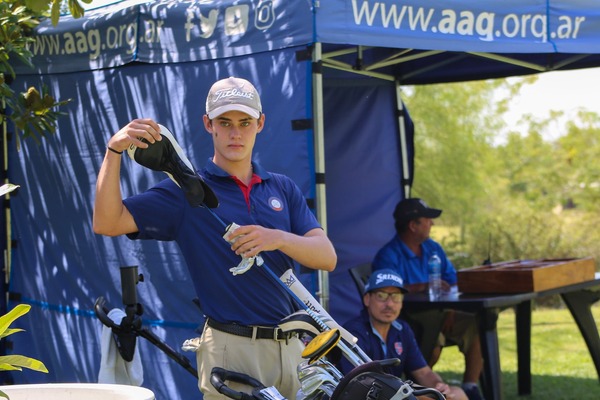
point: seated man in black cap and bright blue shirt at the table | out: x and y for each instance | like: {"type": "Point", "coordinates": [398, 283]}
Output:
{"type": "Point", "coordinates": [408, 254]}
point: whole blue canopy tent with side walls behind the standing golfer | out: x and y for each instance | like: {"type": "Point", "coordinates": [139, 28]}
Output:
{"type": "Point", "coordinates": [330, 78]}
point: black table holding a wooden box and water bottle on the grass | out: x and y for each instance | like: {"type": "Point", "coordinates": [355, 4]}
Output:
{"type": "Point", "coordinates": [578, 297]}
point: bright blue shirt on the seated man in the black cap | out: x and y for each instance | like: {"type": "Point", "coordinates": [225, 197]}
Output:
{"type": "Point", "coordinates": [397, 256]}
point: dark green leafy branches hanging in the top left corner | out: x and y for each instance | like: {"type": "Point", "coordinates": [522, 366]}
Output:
{"type": "Point", "coordinates": [33, 112]}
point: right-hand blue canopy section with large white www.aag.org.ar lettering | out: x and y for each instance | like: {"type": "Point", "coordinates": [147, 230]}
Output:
{"type": "Point", "coordinates": [438, 41]}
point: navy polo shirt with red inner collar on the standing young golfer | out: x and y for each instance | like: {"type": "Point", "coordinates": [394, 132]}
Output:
{"type": "Point", "coordinates": [275, 201]}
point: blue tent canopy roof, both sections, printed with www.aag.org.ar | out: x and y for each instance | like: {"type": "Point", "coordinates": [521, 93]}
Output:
{"type": "Point", "coordinates": [413, 43]}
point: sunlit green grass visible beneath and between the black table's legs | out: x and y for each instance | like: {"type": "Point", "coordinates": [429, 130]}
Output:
{"type": "Point", "coordinates": [561, 365]}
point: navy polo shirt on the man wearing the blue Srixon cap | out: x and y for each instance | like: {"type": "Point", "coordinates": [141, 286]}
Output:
{"type": "Point", "coordinates": [400, 343]}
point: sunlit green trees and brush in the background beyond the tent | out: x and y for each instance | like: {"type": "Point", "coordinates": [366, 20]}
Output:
{"type": "Point", "coordinates": [527, 196]}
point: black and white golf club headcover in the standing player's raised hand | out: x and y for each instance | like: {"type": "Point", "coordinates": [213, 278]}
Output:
{"type": "Point", "coordinates": [167, 156]}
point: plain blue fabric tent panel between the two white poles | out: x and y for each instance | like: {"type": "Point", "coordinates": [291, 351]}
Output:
{"type": "Point", "coordinates": [363, 173]}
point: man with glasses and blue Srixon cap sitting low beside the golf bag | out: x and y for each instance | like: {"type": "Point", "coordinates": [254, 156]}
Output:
{"type": "Point", "coordinates": [381, 335]}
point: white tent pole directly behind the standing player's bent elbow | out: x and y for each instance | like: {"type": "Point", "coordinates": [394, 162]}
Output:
{"type": "Point", "coordinates": [319, 143]}
